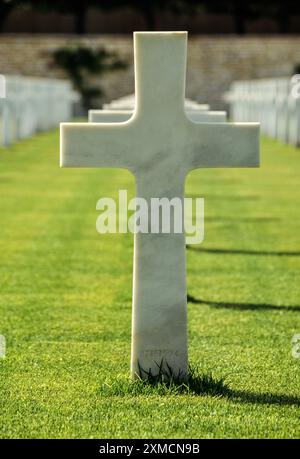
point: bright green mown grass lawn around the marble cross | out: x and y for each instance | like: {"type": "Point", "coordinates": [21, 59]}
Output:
{"type": "Point", "coordinates": [65, 303]}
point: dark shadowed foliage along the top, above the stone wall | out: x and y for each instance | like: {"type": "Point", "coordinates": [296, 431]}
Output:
{"type": "Point", "coordinates": [242, 12]}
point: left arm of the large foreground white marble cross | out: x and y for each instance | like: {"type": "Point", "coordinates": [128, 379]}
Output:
{"type": "Point", "coordinates": [97, 145]}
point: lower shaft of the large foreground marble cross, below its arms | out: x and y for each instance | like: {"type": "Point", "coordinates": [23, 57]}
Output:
{"type": "Point", "coordinates": [159, 324]}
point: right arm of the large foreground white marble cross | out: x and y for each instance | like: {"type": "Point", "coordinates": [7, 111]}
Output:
{"type": "Point", "coordinates": [223, 145]}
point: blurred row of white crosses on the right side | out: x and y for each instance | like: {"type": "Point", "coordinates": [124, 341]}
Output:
{"type": "Point", "coordinates": [275, 102]}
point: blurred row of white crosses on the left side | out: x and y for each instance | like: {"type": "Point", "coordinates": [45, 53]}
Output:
{"type": "Point", "coordinates": [29, 105]}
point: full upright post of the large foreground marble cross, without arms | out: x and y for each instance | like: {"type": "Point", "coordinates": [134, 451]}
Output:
{"type": "Point", "coordinates": [159, 324]}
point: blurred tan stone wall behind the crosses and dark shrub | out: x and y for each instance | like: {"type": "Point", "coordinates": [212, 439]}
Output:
{"type": "Point", "coordinates": [213, 62]}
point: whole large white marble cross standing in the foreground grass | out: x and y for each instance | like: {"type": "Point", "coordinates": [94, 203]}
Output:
{"type": "Point", "coordinates": [160, 145]}
